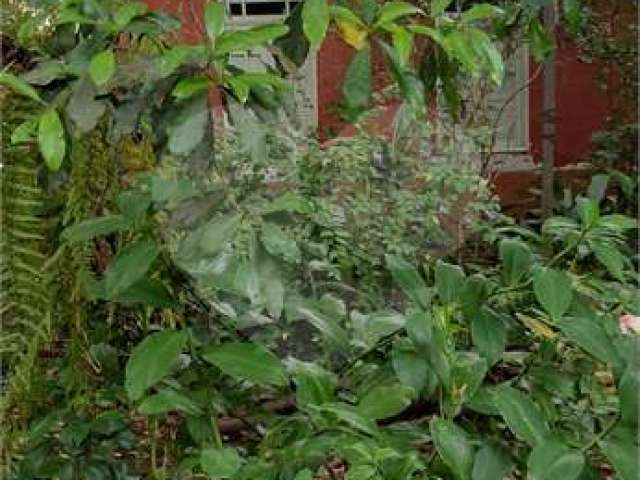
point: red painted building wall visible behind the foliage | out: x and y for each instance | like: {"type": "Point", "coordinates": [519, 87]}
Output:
{"type": "Point", "coordinates": [582, 107]}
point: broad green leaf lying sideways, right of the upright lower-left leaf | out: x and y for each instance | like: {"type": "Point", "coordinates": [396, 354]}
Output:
{"type": "Point", "coordinates": [250, 361]}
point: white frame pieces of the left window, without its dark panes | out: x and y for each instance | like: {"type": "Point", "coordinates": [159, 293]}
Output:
{"type": "Point", "coordinates": [304, 80]}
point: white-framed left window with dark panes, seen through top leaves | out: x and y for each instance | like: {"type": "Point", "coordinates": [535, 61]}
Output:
{"type": "Point", "coordinates": [248, 13]}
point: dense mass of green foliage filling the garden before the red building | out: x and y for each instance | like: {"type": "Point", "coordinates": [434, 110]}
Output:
{"type": "Point", "coordinates": [193, 293]}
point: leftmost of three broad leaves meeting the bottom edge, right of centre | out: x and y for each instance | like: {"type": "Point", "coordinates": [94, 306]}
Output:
{"type": "Point", "coordinates": [453, 446]}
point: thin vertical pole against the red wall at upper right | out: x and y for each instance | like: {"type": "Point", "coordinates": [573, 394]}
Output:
{"type": "Point", "coordinates": [548, 119]}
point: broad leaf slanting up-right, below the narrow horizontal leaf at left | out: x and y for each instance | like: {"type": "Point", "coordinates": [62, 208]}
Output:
{"type": "Point", "coordinates": [129, 265]}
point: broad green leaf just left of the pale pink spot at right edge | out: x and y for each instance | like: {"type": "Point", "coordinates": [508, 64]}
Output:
{"type": "Point", "coordinates": [589, 333]}
